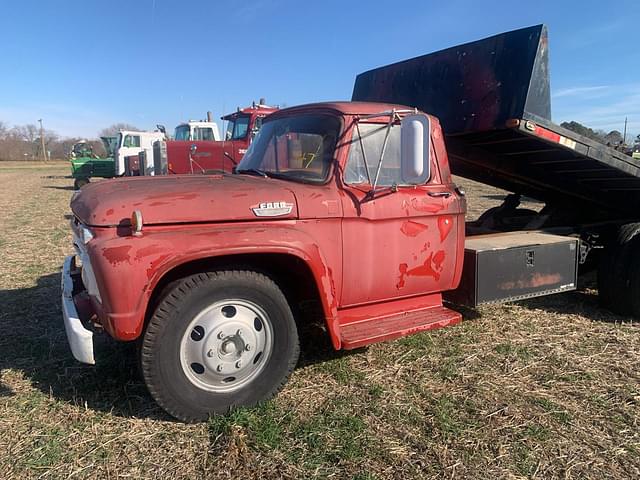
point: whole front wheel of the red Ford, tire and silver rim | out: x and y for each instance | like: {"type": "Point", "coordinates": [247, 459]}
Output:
{"type": "Point", "coordinates": [218, 340]}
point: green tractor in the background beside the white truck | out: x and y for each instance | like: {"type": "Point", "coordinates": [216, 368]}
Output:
{"type": "Point", "coordinates": [85, 164]}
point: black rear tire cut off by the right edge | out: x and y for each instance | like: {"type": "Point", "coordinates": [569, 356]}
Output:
{"type": "Point", "coordinates": [617, 269]}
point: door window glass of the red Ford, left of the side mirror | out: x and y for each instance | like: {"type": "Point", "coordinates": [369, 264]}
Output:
{"type": "Point", "coordinates": [365, 151]}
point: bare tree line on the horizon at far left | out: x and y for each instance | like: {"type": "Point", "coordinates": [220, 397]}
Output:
{"type": "Point", "coordinates": [22, 142]}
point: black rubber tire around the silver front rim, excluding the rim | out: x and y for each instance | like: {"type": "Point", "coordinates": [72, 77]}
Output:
{"type": "Point", "coordinates": [160, 356]}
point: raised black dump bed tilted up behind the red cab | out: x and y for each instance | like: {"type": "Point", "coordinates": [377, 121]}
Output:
{"type": "Point", "coordinates": [492, 97]}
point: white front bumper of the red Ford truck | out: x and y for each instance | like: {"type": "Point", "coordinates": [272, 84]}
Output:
{"type": "Point", "coordinates": [80, 338]}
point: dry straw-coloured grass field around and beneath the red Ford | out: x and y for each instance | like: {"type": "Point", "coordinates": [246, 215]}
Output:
{"type": "Point", "coordinates": [544, 388]}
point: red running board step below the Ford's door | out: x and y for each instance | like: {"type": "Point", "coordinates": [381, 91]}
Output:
{"type": "Point", "coordinates": [388, 327]}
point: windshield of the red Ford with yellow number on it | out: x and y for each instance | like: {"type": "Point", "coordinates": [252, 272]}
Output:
{"type": "Point", "coordinates": [298, 148]}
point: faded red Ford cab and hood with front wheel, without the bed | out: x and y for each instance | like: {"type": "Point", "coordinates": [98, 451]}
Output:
{"type": "Point", "coordinates": [347, 205]}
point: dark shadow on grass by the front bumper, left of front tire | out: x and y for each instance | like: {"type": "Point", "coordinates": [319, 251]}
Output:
{"type": "Point", "coordinates": [34, 342]}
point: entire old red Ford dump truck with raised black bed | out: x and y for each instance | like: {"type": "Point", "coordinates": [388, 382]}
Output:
{"type": "Point", "coordinates": [351, 206]}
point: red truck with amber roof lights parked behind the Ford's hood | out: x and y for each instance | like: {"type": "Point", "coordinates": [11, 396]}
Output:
{"type": "Point", "coordinates": [199, 155]}
